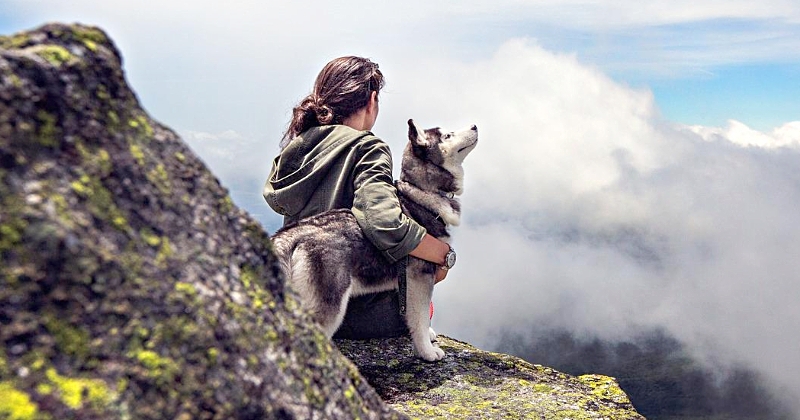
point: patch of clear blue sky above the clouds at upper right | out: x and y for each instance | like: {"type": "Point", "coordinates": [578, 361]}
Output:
{"type": "Point", "coordinates": [701, 72]}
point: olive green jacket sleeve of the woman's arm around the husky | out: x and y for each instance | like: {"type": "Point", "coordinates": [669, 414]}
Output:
{"type": "Point", "coordinates": [376, 206]}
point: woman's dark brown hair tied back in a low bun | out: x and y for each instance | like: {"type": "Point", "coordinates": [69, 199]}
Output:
{"type": "Point", "coordinates": [342, 87]}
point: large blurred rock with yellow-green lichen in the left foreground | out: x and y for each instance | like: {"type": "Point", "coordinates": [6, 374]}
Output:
{"type": "Point", "coordinates": [130, 285]}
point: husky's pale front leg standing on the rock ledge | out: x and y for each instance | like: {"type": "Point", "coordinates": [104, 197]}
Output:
{"type": "Point", "coordinates": [420, 290]}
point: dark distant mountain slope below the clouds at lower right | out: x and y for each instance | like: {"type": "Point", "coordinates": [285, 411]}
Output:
{"type": "Point", "coordinates": [662, 380]}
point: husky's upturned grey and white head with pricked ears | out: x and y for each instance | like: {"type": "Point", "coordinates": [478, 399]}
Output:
{"type": "Point", "coordinates": [433, 151]}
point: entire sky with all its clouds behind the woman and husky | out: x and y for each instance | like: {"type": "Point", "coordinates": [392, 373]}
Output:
{"type": "Point", "coordinates": [638, 164]}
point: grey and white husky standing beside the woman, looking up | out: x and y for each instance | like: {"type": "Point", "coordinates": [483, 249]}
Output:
{"type": "Point", "coordinates": [327, 258]}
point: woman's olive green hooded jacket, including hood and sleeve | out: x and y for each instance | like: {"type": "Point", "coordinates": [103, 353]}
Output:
{"type": "Point", "coordinates": [335, 166]}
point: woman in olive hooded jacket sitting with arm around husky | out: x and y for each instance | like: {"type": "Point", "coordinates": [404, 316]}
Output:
{"type": "Point", "coordinates": [329, 159]}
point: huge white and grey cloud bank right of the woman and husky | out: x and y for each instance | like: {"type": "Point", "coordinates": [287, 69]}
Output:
{"type": "Point", "coordinates": [584, 210]}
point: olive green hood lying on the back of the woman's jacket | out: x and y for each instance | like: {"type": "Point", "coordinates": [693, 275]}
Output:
{"type": "Point", "coordinates": [304, 163]}
